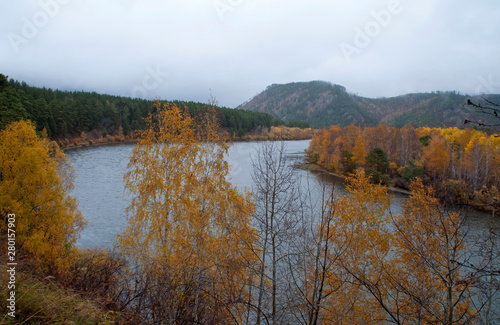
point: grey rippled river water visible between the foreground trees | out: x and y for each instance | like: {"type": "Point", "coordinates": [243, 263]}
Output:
{"type": "Point", "coordinates": [100, 190]}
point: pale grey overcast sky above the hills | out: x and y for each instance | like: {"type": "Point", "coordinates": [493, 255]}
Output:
{"type": "Point", "coordinates": [234, 49]}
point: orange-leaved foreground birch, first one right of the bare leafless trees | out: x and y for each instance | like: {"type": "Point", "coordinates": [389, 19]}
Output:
{"type": "Point", "coordinates": [359, 247]}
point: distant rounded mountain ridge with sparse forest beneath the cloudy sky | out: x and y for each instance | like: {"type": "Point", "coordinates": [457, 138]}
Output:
{"type": "Point", "coordinates": [322, 104]}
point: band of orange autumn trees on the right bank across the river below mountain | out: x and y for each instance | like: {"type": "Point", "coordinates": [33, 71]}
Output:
{"type": "Point", "coordinates": [464, 155]}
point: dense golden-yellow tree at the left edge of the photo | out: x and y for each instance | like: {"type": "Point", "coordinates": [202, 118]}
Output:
{"type": "Point", "coordinates": [35, 178]}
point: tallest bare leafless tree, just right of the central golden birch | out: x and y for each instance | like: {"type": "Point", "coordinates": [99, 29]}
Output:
{"type": "Point", "coordinates": [276, 202]}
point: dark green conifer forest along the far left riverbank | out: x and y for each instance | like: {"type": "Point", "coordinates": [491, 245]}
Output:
{"type": "Point", "coordinates": [66, 114]}
